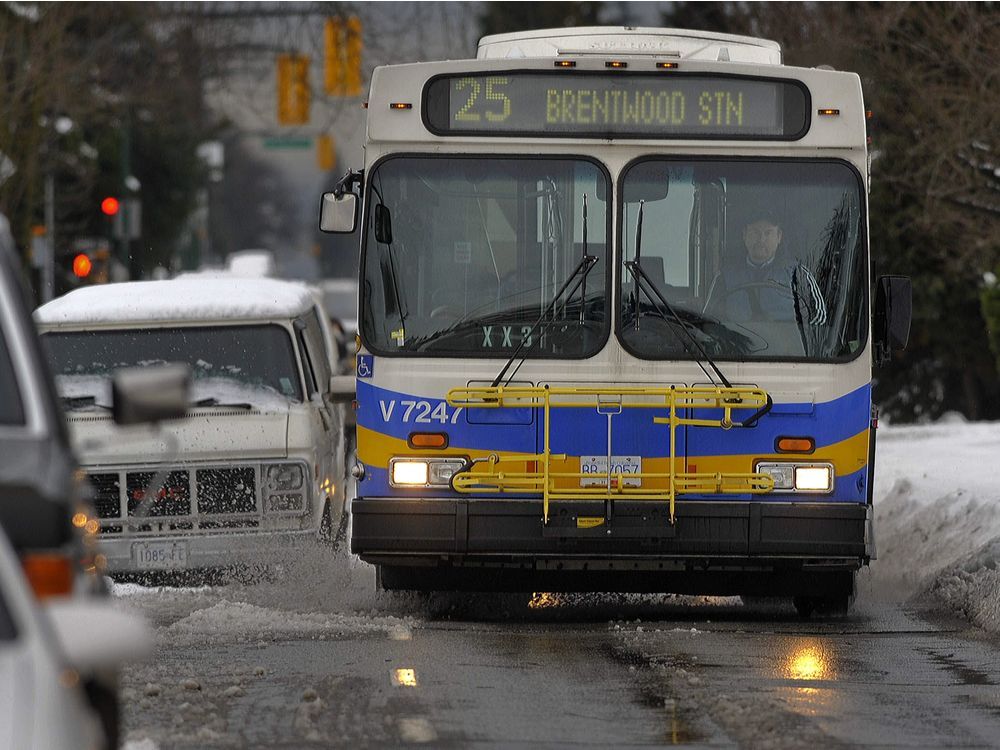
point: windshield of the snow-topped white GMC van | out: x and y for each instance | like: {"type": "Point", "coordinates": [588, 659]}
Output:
{"type": "Point", "coordinates": [258, 356]}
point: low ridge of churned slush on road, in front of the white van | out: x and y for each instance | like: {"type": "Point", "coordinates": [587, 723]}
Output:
{"type": "Point", "coordinates": [228, 620]}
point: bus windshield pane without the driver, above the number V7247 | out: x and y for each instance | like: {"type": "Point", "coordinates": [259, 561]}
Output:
{"type": "Point", "coordinates": [463, 255]}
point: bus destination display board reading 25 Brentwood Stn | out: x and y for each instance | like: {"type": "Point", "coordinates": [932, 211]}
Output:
{"type": "Point", "coordinates": [619, 105]}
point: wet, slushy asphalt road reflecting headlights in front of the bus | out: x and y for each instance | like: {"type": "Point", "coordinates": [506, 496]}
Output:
{"type": "Point", "coordinates": [315, 659]}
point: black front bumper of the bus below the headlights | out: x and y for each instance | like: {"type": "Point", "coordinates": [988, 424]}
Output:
{"type": "Point", "coordinates": [712, 547]}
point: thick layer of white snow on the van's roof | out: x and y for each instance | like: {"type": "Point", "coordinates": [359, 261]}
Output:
{"type": "Point", "coordinates": [189, 299]}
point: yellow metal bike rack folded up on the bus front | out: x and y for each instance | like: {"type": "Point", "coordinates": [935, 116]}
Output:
{"type": "Point", "coordinates": [490, 474]}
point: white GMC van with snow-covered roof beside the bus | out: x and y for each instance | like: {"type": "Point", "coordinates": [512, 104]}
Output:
{"type": "Point", "coordinates": [257, 465]}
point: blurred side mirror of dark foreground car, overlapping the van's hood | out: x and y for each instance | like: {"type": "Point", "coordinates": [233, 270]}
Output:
{"type": "Point", "coordinates": [140, 395]}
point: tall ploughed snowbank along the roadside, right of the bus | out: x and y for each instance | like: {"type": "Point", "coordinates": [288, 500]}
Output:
{"type": "Point", "coordinates": [937, 515]}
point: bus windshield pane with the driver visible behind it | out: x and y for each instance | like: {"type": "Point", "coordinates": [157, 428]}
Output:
{"type": "Point", "coordinates": [756, 259]}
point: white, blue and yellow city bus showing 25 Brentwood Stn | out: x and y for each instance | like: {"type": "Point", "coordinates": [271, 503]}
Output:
{"type": "Point", "coordinates": [616, 321]}
